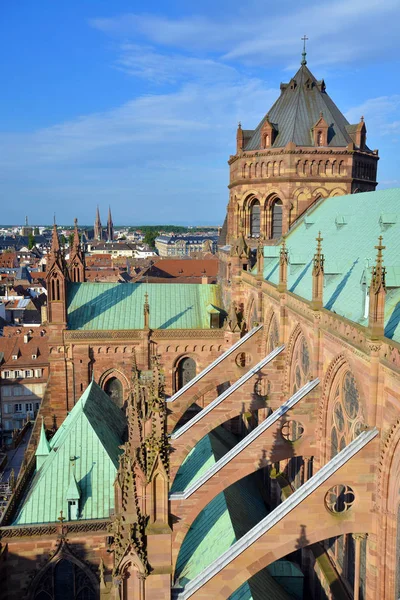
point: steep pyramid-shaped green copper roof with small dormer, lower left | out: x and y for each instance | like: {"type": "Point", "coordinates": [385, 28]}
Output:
{"type": "Point", "coordinates": [86, 448]}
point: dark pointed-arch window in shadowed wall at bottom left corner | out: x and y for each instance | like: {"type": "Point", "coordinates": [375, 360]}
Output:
{"type": "Point", "coordinates": [65, 581]}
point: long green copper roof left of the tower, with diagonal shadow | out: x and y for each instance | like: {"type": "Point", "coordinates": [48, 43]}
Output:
{"type": "Point", "coordinates": [105, 306]}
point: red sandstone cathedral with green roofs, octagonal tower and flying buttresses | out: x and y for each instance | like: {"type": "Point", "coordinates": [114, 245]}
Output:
{"type": "Point", "coordinates": [238, 440]}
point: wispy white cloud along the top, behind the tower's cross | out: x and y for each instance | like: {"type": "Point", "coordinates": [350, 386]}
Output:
{"type": "Point", "coordinates": [338, 31]}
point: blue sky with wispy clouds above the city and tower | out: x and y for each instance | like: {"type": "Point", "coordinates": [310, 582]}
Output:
{"type": "Point", "coordinates": [136, 104]}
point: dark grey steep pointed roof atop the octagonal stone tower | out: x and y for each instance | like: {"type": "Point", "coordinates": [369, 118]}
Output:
{"type": "Point", "coordinates": [298, 109]}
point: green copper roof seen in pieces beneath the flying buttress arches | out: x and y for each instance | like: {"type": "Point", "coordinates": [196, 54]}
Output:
{"type": "Point", "coordinates": [224, 520]}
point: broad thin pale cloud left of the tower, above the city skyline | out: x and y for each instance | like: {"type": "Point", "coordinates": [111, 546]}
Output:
{"type": "Point", "coordinates": [170, 149]}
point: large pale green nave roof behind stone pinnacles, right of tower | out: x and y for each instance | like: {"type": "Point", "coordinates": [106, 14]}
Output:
{"type": "Point", "coordinates": [349, 249]}
